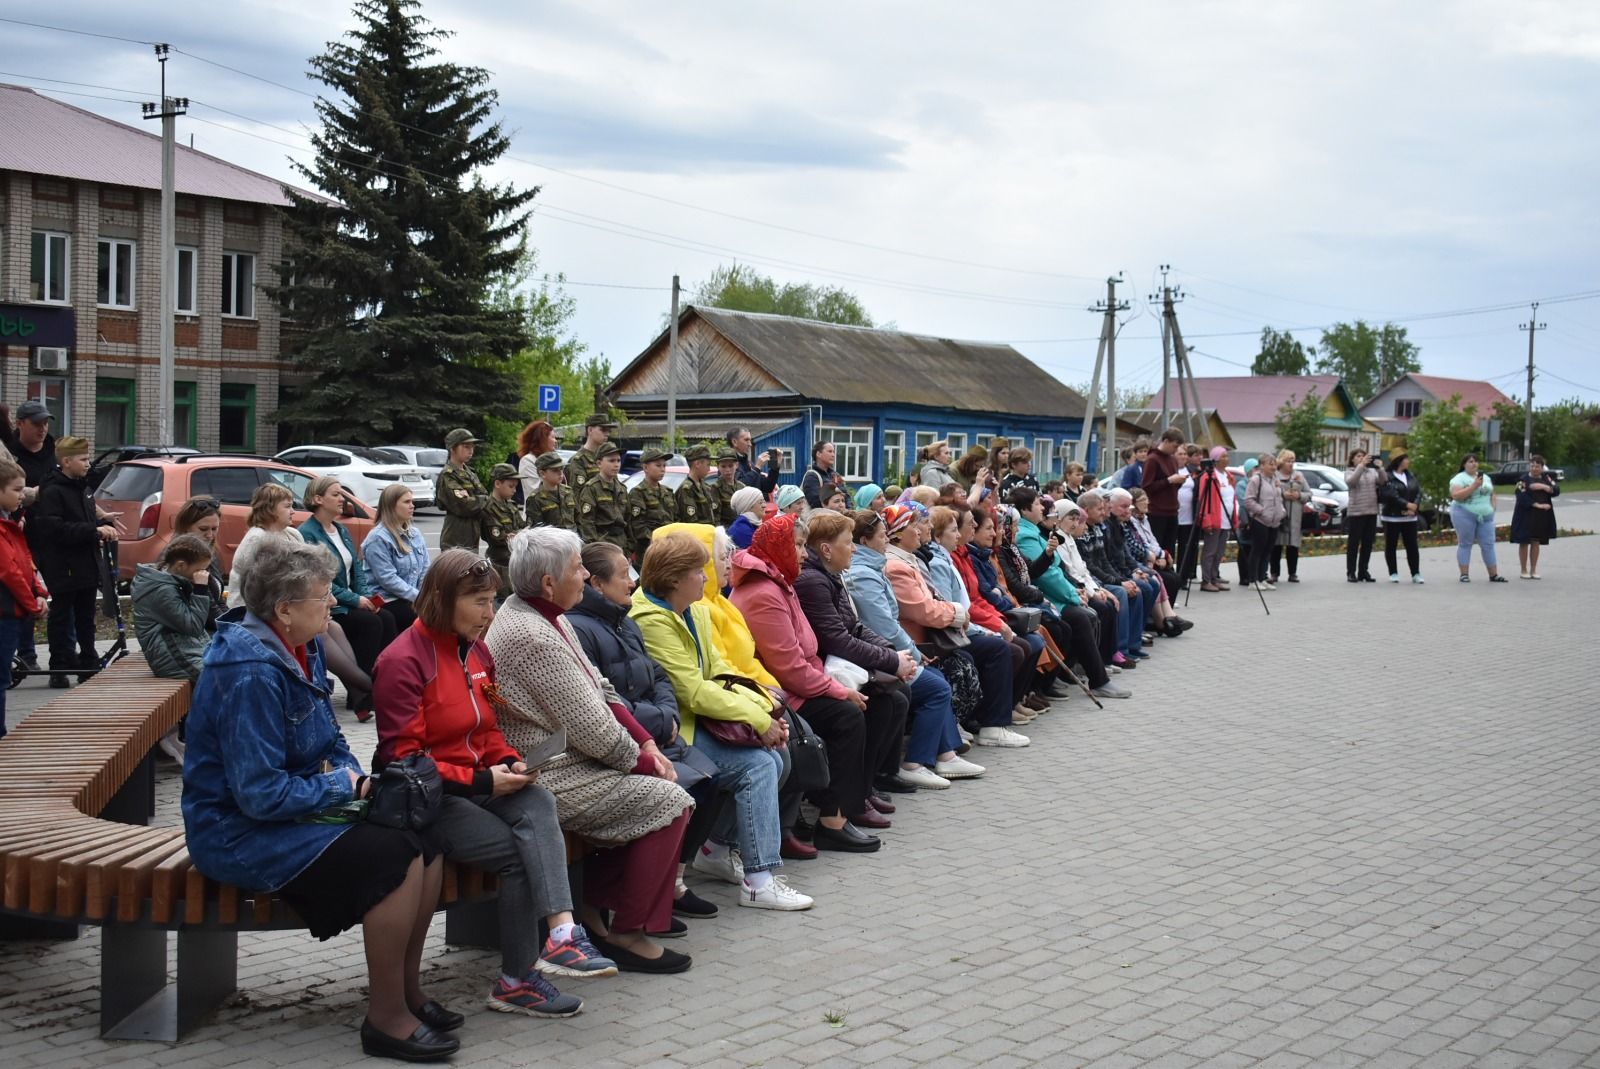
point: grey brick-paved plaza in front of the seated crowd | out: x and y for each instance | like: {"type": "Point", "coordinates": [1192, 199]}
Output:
{"type": "Point", "coordinates": [1361, 831]}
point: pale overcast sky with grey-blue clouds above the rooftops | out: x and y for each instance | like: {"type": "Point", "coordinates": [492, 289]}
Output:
{"type": "Point", "coordinates": [978, 172]}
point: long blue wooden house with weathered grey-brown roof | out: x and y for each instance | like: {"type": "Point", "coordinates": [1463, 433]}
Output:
{"type": "Point", "coordinates": [878, 394]}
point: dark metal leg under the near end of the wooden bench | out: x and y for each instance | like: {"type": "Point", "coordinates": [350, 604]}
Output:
{"type": "Point", "coordinates": [137, 1003]}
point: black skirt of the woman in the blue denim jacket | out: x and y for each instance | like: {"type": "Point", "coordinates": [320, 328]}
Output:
{"type": "Point", "coordinates": [359, 870]}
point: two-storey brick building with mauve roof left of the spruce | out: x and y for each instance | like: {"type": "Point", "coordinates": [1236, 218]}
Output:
{"type": "Point", "coordinates": [81, 225]}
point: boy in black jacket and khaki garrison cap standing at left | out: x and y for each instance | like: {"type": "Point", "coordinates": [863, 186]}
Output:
{"type": "Point", "coordinates": [65, 534]}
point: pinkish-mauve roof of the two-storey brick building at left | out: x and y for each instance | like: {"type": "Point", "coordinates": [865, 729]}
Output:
{"type": "Point", "coordinates": [44, 137]}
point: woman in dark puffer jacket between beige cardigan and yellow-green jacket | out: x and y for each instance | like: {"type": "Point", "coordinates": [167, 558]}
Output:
{"type": "Point", "coordinates": [617, 647]}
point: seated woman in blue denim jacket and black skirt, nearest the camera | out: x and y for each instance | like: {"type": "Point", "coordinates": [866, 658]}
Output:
{"type": "Point", "coordinates": [268, 790]}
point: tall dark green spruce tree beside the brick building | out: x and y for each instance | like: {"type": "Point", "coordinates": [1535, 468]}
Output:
{"type": "Point", "coordinates": [391, 276]}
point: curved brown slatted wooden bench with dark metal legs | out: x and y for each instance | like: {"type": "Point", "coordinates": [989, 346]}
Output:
{"type": "Point", "coordinates": [78, 790]}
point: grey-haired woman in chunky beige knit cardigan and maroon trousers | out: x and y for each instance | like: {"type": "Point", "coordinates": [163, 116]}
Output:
{"type": "Point", "coordinates": [614, 787]}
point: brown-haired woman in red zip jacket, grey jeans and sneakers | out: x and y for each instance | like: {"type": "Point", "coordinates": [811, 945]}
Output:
{"type": "Point", "coordinates": [434, 692]}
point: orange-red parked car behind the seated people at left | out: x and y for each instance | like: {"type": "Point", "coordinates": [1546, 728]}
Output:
{"type": "Point", "coordinates": [148, 494]}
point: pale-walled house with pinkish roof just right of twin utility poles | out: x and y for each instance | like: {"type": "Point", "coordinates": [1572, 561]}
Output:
{"type": "Point", "coordinates": [1249, 407]}
